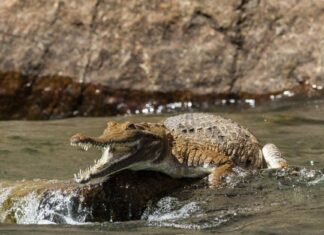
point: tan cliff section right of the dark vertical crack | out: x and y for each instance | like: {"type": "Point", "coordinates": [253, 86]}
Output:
{"type": "Point", "coordinates": [282, 48]}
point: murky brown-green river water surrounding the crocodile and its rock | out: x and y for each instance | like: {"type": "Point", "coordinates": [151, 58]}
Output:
{"type": "Point", "coordinates": [267, 202]}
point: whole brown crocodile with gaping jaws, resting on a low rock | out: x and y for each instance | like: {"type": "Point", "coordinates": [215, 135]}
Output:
{"type": "Point", "coordinates": [192, 145]}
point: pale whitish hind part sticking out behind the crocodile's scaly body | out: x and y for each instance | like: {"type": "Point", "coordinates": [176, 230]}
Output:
{"type": "Point", "coordinates": [273, 157]}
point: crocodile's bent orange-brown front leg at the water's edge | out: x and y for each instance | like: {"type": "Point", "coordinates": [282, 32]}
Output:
{"type": "Point", "coordinates": [216, 178]}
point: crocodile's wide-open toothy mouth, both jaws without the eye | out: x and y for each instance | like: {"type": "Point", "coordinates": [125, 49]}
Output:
{"type": "Point", "coordinates": [116, 156]}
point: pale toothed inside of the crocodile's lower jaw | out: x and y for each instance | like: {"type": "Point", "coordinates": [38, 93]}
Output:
{"type": "Point", "coordinates": [85, 175]}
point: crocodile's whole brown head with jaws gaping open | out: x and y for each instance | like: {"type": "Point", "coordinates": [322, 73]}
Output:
{"type": "Point", "coordinates": [124, 146]}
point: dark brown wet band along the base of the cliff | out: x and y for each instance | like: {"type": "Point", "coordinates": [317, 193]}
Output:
{"type": "Point", "coordinates": [23, 97]}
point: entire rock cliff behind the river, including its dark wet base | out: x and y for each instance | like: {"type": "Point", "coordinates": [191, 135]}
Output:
{"type": "Point", "coordinates": [63, 58]}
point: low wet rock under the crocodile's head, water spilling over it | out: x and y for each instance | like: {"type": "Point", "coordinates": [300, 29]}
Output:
{"type": "Point", "coordinates": [123, 197]}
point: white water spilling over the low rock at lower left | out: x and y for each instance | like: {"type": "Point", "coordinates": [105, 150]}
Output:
{"type": "Point", "coordinates": [53, 207]}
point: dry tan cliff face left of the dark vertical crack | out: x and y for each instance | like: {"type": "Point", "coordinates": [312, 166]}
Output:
{"type": "Point", "coordinates": [164, 45]}
